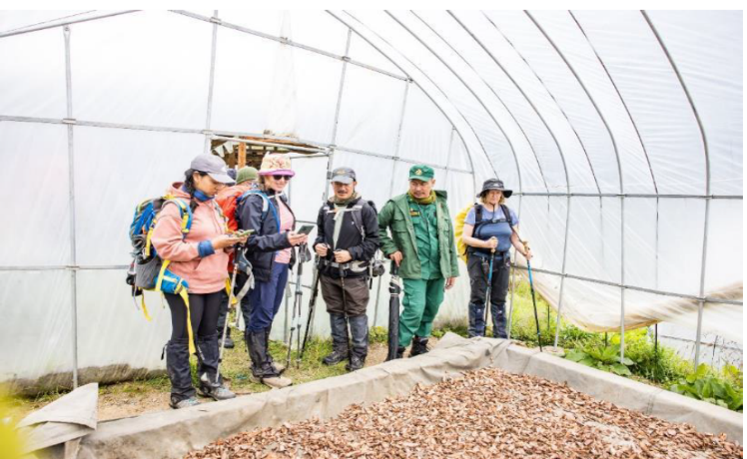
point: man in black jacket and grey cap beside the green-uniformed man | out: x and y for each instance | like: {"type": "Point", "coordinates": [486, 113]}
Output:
{"type": "Point", "coordinates": [347, 240]}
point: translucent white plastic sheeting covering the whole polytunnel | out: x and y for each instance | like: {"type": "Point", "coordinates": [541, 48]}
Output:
{"type": "Point", "coordinates": [474, 94]}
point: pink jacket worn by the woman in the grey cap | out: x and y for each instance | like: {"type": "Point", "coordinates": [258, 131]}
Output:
{"type": "Point", "coordinates": [204, 275]}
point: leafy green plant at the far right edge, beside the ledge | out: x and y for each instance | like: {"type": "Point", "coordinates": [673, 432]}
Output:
{"type": "Point", "coordinates": [704, 385]}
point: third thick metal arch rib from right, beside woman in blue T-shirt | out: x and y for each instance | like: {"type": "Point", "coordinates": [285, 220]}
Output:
{"type": "Point", "coordinates": [562, 158]}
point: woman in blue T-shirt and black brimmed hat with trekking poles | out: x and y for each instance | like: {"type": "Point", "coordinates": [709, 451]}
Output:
{"type": "Point", "coordinates": [488, 234]}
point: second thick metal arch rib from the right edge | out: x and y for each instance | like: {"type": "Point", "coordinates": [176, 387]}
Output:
{"type": "Point", "coordinates": [619, 171]}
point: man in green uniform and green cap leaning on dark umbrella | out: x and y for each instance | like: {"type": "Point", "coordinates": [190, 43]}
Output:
{"type": "Point", "coordinates": [422, 246]}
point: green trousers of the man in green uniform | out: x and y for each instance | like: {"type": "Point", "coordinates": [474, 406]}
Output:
{"type": "Point", "coordinates": [420, 306]}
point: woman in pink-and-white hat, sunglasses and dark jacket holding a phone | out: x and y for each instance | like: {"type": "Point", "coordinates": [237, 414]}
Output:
{"type": "Point", "coordinates": [269, 250]}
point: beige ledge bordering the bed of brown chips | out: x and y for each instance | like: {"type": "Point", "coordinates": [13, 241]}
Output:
{"type": "Point", "coordinates": [171, 434]}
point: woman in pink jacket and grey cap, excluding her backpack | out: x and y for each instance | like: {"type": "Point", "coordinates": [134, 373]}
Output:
{"type": "Point", "coordinates": [200, 259]}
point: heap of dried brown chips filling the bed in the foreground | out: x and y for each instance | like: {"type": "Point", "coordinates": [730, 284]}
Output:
{"type": "Point", "coordinates": [485, 413]}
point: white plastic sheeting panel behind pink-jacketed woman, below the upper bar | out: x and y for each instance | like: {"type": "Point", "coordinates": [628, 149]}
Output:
{"type": "Point", "coordinates": [116, 169]}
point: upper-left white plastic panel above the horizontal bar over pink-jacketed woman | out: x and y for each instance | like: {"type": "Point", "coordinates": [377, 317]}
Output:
{"type": "Point", "coordinates": [145, 69]}
